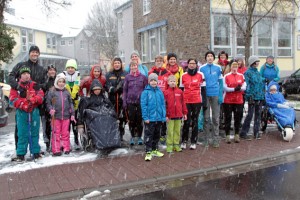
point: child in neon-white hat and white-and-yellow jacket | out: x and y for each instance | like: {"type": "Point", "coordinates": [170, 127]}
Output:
{"type": "Point", "coordinates": [72, 85]}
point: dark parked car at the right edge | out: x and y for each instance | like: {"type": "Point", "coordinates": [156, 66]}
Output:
{"type": "Point", "coordinates": [291, 84]}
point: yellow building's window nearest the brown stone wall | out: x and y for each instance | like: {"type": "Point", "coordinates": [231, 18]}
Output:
{"type": "Point", "coordinates": [222, 36]}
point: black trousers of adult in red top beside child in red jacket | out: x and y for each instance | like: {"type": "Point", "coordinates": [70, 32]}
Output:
{"type": "Point", "coordinates": [192, 116]}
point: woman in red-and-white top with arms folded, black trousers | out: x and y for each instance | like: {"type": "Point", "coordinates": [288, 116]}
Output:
{"type": "Point", "coordinates": [234, 85]}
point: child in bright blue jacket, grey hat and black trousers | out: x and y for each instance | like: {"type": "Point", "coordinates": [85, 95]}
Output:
{"type": "Point", "coordinates": [154, 114]}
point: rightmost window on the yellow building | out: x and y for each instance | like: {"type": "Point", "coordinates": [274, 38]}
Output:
{"type": "Point", "coordinates": [284, 38]}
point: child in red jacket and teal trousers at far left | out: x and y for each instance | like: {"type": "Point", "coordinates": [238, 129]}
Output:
{"type": "Point", "coordinates": [26, 101]}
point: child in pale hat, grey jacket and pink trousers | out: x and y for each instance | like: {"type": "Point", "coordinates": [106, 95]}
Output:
{"type": "Point", "coordinates": [60, 107]}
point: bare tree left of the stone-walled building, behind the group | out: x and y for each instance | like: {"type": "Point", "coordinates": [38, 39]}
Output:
{"type": "Point", "coordinates": [102, 23]}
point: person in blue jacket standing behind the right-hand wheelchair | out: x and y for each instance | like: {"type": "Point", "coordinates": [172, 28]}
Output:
{"type": "Point", "coordinates": [269, 70]}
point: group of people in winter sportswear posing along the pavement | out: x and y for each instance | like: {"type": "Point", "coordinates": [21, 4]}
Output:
{"type": "Point", "coordinates": [153, 102]}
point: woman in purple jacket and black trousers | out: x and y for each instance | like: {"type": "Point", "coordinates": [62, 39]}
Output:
{"type": "Point", "coordinates": [134, 84]}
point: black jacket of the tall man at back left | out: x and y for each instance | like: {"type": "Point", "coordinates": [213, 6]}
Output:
{"type": "Point", "coordinates": [37, 74]}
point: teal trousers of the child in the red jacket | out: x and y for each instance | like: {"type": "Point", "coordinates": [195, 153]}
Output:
{"type": "Point", "coordinates": [28, 125]}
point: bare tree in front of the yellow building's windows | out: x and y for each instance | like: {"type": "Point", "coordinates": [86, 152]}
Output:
{"type": "Point", "coordinates": [246, 14]}
